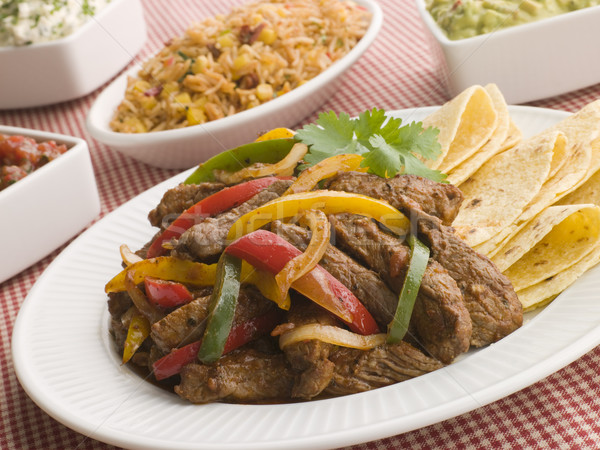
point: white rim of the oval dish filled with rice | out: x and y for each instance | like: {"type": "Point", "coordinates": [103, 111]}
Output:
{"type": "Point", "coordinates": [102, 132]}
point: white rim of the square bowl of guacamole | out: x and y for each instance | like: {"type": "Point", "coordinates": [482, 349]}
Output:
{"type": "Point", "coordinates": [443, 39]}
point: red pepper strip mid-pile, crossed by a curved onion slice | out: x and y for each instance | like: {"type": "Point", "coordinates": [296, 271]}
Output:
{"type": "Point", "coordinates": [270, 252]}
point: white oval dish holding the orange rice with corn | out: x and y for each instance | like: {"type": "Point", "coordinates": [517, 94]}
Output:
{"type": "Point", "coordinates": [185, 147]}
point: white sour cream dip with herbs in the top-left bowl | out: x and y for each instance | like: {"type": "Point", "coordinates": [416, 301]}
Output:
{"type": "Point", "coordinates": [24, 22]}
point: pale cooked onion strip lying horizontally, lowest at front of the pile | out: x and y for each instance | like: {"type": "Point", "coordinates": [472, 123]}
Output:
{"type": "Point", "coordinates": [330, 334]}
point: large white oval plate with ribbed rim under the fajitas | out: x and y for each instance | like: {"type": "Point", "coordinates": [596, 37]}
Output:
{"type": "Point", "coordinates": [67, 364]}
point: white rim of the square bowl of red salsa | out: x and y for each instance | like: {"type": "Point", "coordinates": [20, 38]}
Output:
{"type": "Point", "coordinates": [74, 145]}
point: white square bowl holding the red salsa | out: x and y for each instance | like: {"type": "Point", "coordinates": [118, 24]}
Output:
{"type": "Point", "coordinates": [45, 209]}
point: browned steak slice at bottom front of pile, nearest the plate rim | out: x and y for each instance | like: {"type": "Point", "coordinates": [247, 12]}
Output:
{"type": "Point", "coordinates": [242, 376]}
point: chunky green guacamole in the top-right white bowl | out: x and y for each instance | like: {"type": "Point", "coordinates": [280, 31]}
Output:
{"type": "Point", "coordinates": [462, 19]}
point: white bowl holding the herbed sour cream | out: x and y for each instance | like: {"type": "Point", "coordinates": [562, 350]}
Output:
{"type": "Point", "coordinates": [73, 66]}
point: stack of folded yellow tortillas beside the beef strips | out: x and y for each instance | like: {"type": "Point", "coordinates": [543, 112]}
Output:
{"type": "Point", "coordinates": [531, 205]}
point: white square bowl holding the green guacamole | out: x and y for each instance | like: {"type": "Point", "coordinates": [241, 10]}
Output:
{"type": "Point", "coordinates": [528, 62]}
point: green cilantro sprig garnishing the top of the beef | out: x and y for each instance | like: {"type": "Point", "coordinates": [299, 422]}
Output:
{"type": "Point", "coordinates": [388, 147]}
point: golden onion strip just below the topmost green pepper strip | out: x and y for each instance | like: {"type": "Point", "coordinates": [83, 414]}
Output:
{"type": "Point", "coordinates": [284, 167]}
